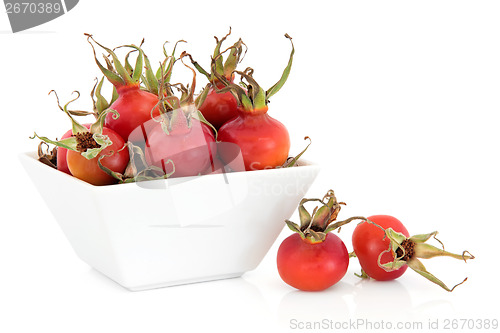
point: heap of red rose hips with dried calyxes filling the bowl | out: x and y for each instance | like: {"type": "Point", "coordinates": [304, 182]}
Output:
{"type": "Point", "coordinates": [148, 132]}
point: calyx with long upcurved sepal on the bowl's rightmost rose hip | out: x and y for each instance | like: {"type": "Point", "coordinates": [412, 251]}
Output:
{"type": "Point", "coordinates": [250, 96]}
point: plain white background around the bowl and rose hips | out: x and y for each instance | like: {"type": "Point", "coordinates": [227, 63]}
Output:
{"type": "Point", "coordinates": [401, 99]}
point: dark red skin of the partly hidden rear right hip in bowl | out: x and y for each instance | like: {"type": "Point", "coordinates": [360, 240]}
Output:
{"type": "Point", "coordinates": [219, 108]}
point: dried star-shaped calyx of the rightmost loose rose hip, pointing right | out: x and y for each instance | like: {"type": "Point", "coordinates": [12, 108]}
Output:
{"type": "Point", "coordinates": [407, 251]}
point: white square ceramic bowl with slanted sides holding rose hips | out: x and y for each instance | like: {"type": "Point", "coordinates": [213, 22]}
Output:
{"type": "Point", "coordinates": [168, 232]}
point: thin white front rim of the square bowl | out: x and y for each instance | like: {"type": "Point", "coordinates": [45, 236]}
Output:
{"type": "Point", "coordinates": [32, 157]}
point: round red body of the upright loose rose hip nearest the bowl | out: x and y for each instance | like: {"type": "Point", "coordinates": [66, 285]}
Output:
{"type": "Point", "coordinates": [312, 266]}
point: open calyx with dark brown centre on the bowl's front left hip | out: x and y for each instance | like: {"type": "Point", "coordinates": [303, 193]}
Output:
{"type": "Point", "coordinates": [88, 141]}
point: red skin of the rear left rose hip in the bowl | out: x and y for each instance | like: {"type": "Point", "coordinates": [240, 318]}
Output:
{"type": "Point", "coordinates": [134, 106]}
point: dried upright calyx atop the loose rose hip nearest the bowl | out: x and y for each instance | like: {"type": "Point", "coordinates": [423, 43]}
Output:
{"type": "Point", "coordinates": [314, 227]}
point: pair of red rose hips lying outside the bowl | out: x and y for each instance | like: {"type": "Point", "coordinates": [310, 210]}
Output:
{"type": "Point", "coordinates": [314, 259]}
